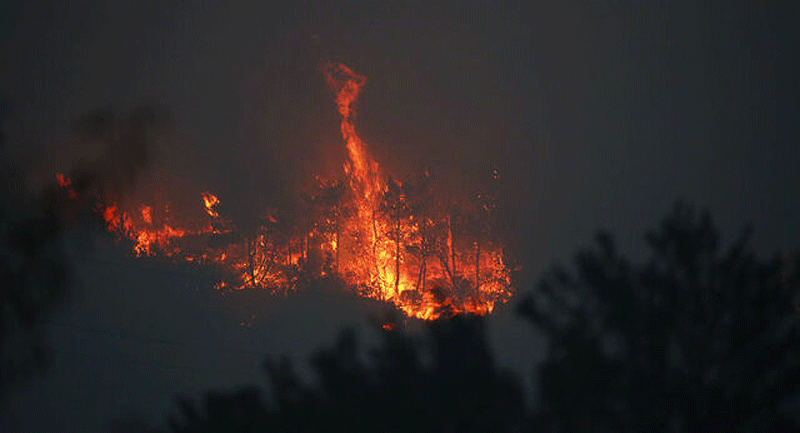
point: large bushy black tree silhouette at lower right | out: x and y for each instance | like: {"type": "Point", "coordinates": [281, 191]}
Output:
{"type": "Point", "coordinates": [690, 340]}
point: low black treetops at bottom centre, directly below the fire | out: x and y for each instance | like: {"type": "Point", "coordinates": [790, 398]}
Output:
{"type": "Point", "coordinates": [460, 390]}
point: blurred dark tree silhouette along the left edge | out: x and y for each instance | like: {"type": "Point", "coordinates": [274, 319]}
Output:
{"type": "Point", "coordinates": [34, 275]}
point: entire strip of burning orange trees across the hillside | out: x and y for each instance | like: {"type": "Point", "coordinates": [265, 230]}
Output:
{"type": "Point", "coordinates": [399, 242]}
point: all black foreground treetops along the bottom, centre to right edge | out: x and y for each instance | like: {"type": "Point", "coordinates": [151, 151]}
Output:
{"type": "Point", "coordinates": [694, 338]}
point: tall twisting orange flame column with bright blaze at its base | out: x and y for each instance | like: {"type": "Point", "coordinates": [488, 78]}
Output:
{"type": "Point", "coordinates": [381, 264]}
